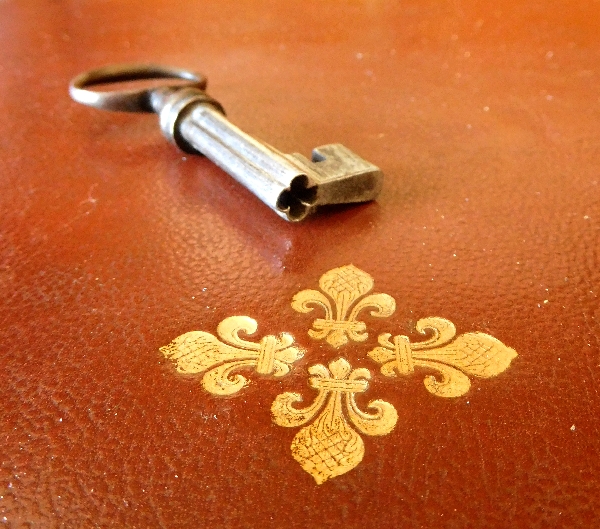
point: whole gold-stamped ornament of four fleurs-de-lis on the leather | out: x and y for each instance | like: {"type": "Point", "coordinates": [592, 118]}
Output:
{"type": "Point", "coordinates": [329, 443]}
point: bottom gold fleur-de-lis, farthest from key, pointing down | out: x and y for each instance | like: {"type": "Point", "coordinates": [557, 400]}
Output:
{"type": "Point", "coordinates": [329, 446]}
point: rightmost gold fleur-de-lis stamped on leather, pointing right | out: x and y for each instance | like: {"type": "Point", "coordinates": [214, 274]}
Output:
{"type": "Point", "coordinates": [476, 354]}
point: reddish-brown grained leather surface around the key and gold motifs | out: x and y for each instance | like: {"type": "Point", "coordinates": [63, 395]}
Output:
{"type": "Point", "coordinates": [484, 117]}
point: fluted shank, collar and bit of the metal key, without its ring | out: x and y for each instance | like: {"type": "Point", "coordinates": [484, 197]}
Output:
{"type": "Point", "coordinates": [289, 184]}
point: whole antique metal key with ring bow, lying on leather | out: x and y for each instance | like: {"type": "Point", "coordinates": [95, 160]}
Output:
{"type": "Point", "coordinates": [289, 184]}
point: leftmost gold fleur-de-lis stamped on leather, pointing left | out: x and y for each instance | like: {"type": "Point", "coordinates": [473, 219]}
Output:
{"type": "Point", "coordinates": [198, 352]}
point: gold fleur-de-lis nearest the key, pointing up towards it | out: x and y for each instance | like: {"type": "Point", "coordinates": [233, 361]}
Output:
{"type": "Point", "coordinates": [345, 286]}
